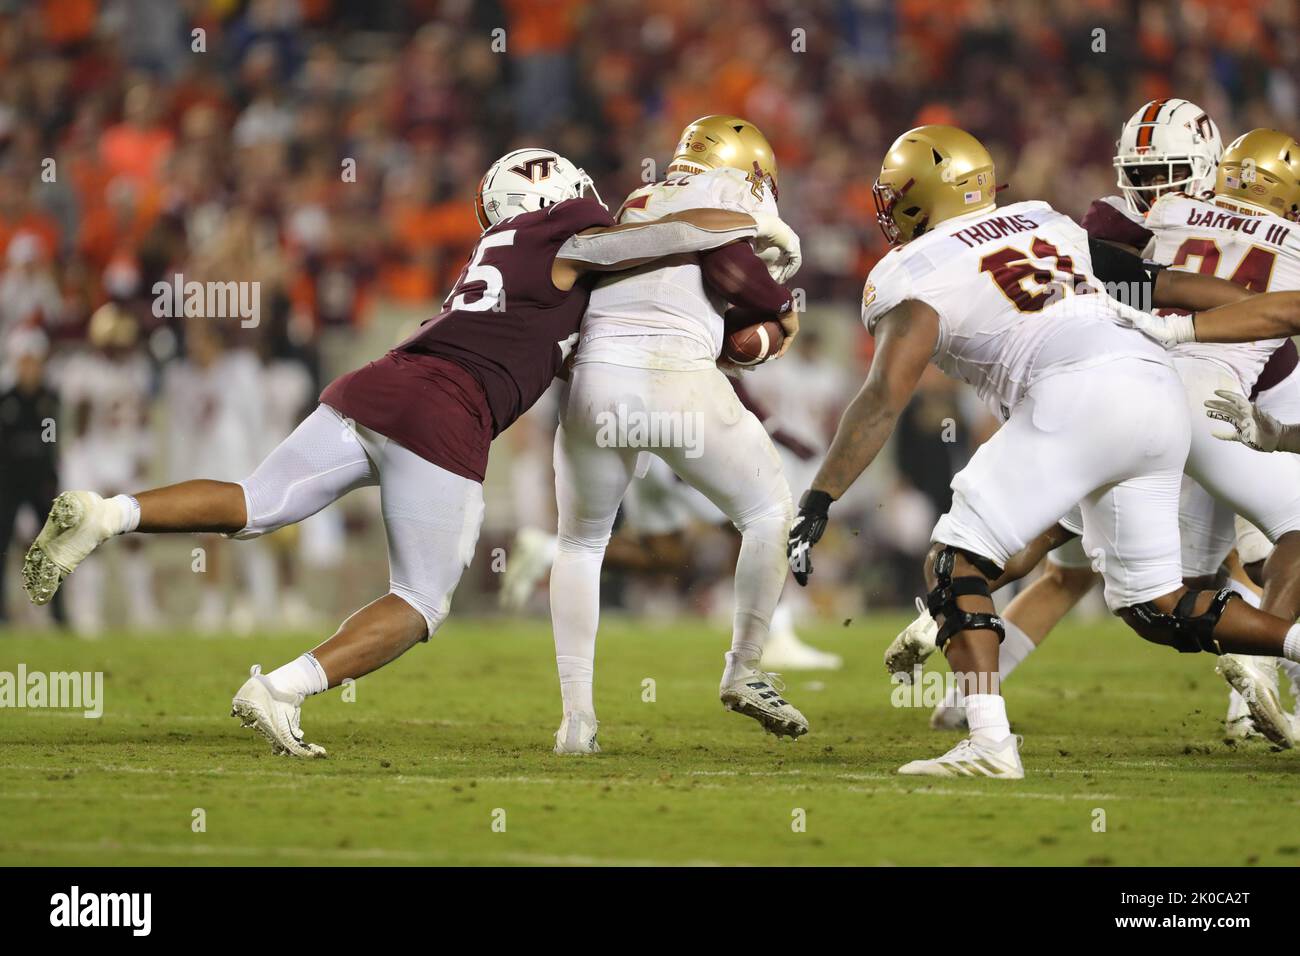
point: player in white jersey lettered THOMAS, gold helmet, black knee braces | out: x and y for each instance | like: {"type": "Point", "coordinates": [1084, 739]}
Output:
{"type": "Point", "coordinates": [1007, 301]}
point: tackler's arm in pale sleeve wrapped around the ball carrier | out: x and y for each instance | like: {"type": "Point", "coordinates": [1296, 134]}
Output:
{"type": "Point", "coordinates": [630, 245]}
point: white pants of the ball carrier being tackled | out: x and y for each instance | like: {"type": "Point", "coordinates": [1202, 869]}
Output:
{"type": "Point", "coordinates": [609, 418]}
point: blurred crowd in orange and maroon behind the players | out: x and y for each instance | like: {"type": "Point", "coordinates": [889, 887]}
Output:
{"type": "Point", "coordinates": [328, 150]}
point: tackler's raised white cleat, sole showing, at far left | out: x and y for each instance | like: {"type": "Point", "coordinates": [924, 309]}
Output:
{"type": "Point", "coordinates": [79, 524]}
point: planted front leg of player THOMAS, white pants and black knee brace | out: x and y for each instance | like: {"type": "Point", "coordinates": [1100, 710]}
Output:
{"type": "Point", "coordinates": [1074, 435]}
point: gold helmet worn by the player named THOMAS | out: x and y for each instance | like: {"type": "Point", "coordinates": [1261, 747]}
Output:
{"type": "Point", "coordinates": [930, 175]}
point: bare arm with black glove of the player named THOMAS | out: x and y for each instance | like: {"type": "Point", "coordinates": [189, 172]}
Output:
{"type": "Point", "coordinates": [905, 343]}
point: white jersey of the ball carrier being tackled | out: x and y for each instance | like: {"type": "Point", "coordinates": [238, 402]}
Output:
{"type": "Point", "coordinates": [664, 315]}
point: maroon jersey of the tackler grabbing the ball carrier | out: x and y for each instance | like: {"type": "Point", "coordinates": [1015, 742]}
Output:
{"type": "Point", "coordinates": [466, 375]}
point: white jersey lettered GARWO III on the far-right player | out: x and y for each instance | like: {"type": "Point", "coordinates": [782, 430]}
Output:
{"type": "Point", "coordinates": [1260, 253]}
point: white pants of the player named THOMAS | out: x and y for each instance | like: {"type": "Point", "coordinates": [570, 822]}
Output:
{"type": "Point", "coordinates": [1111, 438]}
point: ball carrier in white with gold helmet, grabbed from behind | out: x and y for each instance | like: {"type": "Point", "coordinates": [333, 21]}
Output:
{"type": "Point", "coordinates": [648, 354]}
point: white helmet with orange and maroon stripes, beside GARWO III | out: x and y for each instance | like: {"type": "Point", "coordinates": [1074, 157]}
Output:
{"type": "Point", "coordinates": [1168, 145]}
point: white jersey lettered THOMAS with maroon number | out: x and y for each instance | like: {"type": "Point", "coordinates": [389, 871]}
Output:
{"type": "Point", "coordinates": [1016, 299]}
